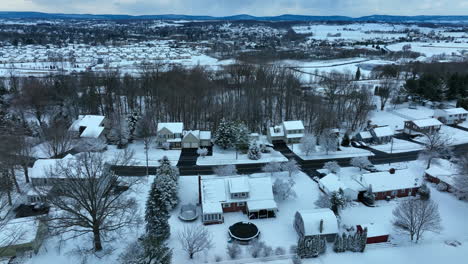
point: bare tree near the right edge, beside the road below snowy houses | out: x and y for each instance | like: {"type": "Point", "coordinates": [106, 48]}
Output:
{"type": "Point", "coordinates": [436, 145]}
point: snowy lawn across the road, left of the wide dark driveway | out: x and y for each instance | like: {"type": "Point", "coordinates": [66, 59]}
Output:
{"type": "Point", "coordinates": [139, 156]}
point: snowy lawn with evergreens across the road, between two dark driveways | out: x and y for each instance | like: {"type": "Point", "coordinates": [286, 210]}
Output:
{"type": "Point", "coordinates": [222, 157]}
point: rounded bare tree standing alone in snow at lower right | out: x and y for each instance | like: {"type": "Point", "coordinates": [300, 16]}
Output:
{"type": "Point", "coordinates": [415, 217]}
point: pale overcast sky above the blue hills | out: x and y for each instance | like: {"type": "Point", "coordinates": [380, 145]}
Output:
{"type": "Point", "coordinates": [253, 7]}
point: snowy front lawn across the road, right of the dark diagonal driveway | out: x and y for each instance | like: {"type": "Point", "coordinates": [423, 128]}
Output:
{"type": "Point", "coordinates": [344, 152]}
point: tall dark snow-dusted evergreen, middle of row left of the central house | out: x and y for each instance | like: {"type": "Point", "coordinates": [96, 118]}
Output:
{"type": "Point", "coordinates": [157, 211]}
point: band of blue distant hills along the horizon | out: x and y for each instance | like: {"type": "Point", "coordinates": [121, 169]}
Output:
{"type": "Point", "coordinates": [285, 17]}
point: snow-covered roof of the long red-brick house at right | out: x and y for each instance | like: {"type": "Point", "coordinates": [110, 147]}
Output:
{"type": "Point", "coordinates": [385, 181]}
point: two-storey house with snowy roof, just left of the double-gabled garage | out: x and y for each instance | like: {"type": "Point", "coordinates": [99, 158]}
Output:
{"type": "Point", "coordinates": [170, 134]}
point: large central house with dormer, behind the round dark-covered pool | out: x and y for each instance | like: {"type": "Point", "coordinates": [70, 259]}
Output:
{"type": "Point", "coordinates": [251, 195]}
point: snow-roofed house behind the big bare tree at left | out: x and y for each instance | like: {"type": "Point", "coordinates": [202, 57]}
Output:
{"type": "Point", "coordinates": [42, 171]}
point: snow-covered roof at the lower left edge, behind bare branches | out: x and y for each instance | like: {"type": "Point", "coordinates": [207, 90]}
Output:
{"type": "Point", "coordinates": [22, 230]}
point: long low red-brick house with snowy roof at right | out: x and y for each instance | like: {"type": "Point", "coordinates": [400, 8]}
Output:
{"type": "Point", "coordinates": [391, 184]}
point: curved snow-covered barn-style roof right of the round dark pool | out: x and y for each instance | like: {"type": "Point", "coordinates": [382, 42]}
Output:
{"type": "Point", "coordinates": [312, 218]}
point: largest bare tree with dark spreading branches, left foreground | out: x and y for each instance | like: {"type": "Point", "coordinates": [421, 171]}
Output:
{"type": "Point", "coordinates": [88, 200]}
